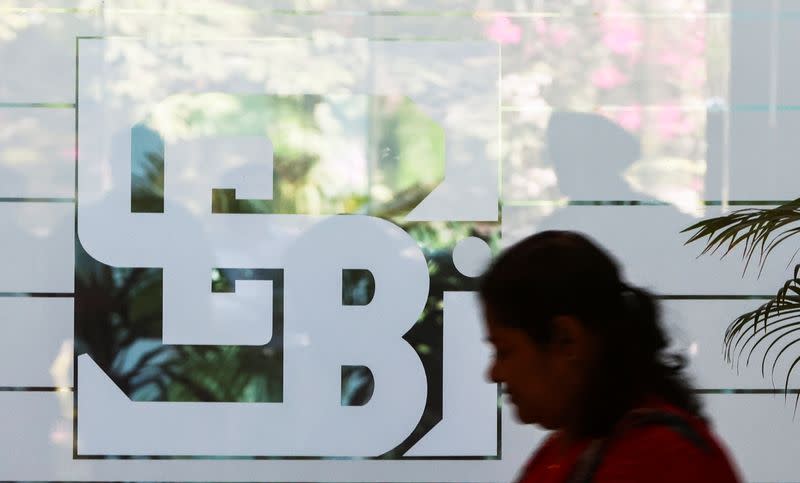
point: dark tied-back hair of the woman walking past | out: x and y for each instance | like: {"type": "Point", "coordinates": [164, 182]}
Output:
{"type": "Point", "coordinates": [556, 273]}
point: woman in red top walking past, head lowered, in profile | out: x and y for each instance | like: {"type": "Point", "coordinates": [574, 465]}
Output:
{"type": "Point", "coordinates": [582, 353]}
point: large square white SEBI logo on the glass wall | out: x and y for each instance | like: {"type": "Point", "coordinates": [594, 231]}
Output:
{"type": "Point", "coordinates": [248, 276]}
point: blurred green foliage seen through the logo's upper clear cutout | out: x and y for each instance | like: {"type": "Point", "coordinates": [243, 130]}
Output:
{"type": "Point", "coordinates": [403, 153]}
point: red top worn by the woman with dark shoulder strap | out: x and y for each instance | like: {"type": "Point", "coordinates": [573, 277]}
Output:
{"type": "Point", "coordinates": [647, 453]}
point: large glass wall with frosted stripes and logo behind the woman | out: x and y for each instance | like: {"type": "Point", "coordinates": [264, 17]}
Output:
{"type": "Point", "coordinates": [241, 240]}
